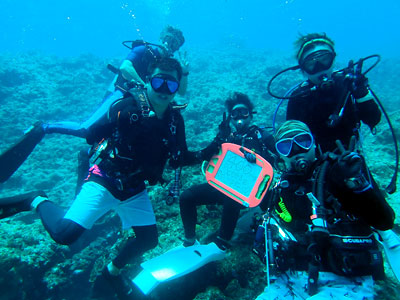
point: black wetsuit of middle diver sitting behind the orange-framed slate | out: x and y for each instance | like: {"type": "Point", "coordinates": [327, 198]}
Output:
{"type": "Point", "coordinates": [255, 139]}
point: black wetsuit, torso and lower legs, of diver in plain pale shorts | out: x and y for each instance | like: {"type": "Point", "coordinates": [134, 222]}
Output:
{"type": "Point", "coordinates": [139, 147]}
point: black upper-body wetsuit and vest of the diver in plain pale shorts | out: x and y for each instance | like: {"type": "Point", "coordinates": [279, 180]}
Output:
{"type": "Point", "coordinates": [139, 146]}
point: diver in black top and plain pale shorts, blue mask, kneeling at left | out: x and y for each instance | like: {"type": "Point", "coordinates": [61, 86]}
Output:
{"type": "Point", "coordinates": [144, 130]}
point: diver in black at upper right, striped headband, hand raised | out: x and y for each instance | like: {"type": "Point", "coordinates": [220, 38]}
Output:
{"type": "Point", "coordinates": [331, 103]}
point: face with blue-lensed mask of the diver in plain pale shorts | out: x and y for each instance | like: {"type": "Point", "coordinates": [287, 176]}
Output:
{"type": "Point", "coordinates": [162, 87]}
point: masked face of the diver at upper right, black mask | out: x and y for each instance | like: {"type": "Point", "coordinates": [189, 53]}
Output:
{"type": "Point", "coordinates": [317, 63]}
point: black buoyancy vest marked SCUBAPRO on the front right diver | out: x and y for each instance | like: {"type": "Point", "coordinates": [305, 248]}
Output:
{"type": "Point", "coordinates": [345, 246]}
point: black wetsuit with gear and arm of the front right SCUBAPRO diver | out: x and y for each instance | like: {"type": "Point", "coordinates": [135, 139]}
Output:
{"type": "Point", "coordinates": [347, 213]}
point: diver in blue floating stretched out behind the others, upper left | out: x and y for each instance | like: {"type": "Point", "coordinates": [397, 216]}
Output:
{"type": "Point", "coordinates": [133, 72]}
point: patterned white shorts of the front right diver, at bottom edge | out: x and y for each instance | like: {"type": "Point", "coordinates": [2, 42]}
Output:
{"type": "Point", "coordinates": [330, 286]}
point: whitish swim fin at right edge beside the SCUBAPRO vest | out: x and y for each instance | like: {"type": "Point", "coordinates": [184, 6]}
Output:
{"type": "Point", "coordinates": [390, 242]}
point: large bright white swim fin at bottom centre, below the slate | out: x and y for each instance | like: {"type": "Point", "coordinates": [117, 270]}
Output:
{"type": "Point", "coordinates": [174, 264]}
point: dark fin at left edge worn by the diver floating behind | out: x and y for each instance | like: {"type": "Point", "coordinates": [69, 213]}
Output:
{"type": "Point", "coordinates": [13, 158]}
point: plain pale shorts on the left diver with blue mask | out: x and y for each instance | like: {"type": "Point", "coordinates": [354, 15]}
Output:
{"type": "Point", "coordinates": [94, 201]}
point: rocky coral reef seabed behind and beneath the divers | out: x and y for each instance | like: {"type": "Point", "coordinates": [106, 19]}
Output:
{"type": "Point", "coordinates": [36, 87]}
